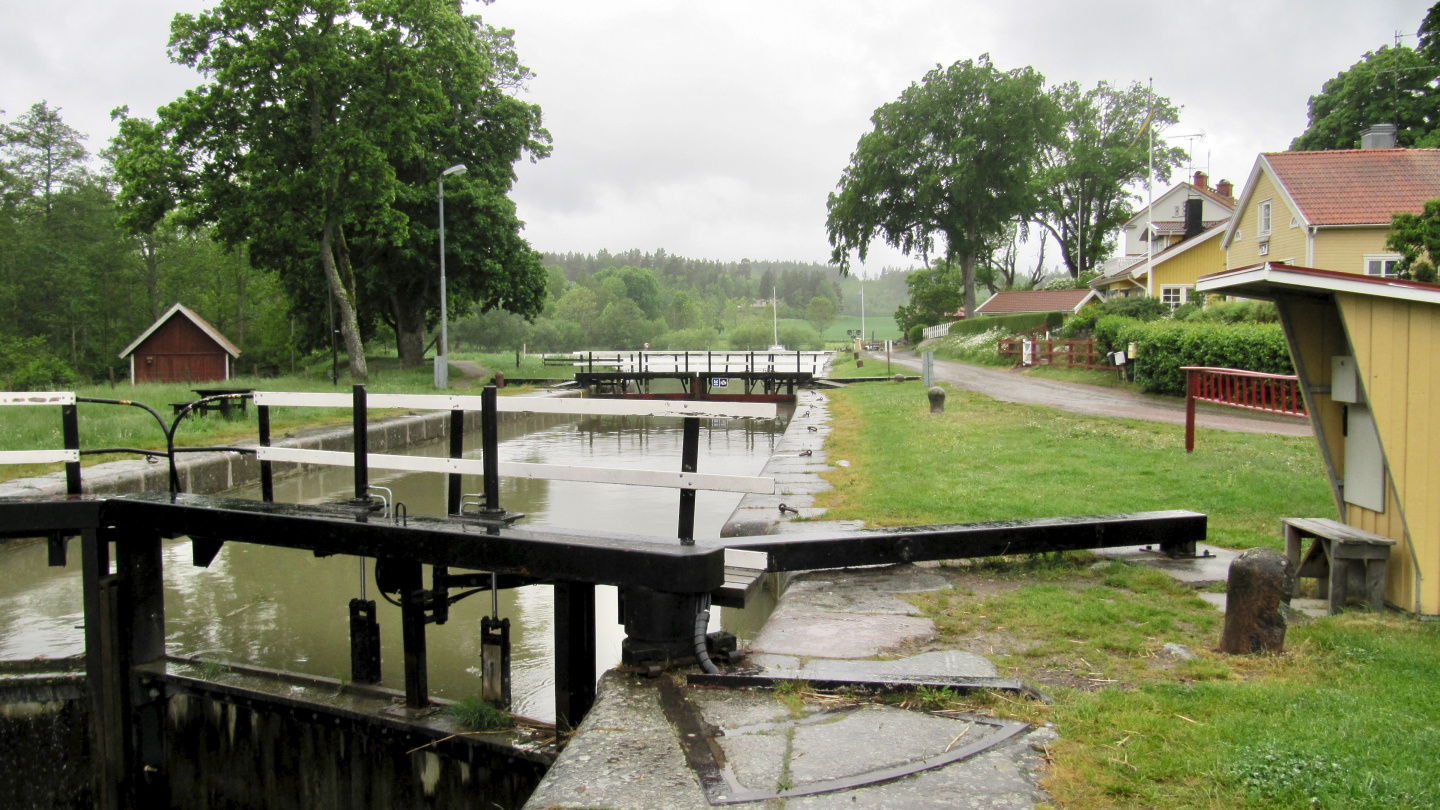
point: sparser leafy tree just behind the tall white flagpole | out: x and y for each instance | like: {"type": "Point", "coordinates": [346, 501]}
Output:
{"type": "Point", "coordinates": [1102, 151]}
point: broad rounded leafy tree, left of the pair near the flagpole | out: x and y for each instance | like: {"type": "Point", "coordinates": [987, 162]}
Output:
{"type": "Point", "coordinates": [955, 156]}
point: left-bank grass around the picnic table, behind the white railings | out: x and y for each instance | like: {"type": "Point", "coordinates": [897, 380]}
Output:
{"type": "Point", "coordinates": [117, 426]}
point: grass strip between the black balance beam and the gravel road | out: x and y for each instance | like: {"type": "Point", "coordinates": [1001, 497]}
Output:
{"type": "Point", "coordinates": [987, 460]}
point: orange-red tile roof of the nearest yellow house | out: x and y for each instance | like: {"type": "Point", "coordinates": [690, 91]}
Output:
{"type": "Point", "coordinates": [1359, 187]}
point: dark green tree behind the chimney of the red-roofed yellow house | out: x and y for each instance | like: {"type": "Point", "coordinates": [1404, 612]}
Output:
{"type": "Point", "coordinates": [1392, 86]}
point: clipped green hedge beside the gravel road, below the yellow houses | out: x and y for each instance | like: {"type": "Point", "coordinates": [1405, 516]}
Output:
{"type": "Point", "coordinates": [1164, 347]}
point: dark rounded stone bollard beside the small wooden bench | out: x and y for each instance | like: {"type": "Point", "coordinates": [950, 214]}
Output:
{"type": "Point", "coordinates": [1261, 582]}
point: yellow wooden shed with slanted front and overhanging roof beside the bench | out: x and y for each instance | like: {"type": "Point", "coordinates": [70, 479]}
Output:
{"type": "Point", "coordinates": [1364, 348]}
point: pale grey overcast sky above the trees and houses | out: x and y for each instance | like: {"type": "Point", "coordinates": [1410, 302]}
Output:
{"type": "Point", "coordinates": [715, 130]}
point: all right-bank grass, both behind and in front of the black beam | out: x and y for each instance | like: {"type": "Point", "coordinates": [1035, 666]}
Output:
{"type": "Point", "coordinates": [1349, 717]}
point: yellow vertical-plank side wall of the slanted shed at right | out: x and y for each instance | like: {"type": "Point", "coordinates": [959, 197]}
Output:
{"type": "Point", "coordinates": [1395, 345]}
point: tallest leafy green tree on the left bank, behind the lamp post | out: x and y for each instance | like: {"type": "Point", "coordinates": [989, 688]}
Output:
{"type": "Point", "coordinates": [319, 136]}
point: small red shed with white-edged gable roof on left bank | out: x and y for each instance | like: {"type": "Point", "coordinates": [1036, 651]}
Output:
{"type": "Point", "coordinates": [181, 348]}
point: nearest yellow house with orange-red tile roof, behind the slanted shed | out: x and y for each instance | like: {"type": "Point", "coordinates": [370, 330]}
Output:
{"type": "Point", "coordinates": [1330, 210]}
